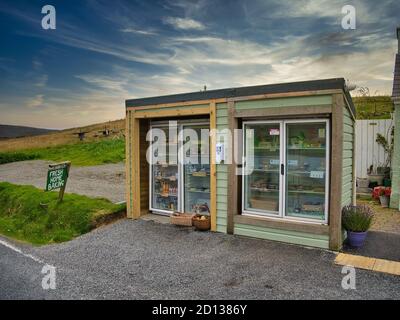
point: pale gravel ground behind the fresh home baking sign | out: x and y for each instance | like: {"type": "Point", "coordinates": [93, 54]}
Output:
{"type": "Point", "coordinates": [107, 181]}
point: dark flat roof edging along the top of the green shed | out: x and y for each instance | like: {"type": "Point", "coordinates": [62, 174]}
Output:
{"type": "Point", "coordinates": [325, 84]}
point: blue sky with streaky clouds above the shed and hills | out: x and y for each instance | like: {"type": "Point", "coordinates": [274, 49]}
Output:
{"type": "Point", "coordinates": [103, 52]}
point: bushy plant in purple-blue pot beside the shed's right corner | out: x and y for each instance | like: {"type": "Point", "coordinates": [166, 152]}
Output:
{"type": "Point", "coordinates": [356, 220]}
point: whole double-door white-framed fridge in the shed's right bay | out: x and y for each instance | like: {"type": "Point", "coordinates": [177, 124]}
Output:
{"type": "Point", "coordinates": [286, 169]}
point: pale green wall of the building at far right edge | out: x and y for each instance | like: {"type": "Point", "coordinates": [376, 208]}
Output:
{"type": "Point", "coordinates": [395, 197]}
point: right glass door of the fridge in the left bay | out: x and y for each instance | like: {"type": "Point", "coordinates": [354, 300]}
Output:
{"type": "Point", "coordinates": [196, 169]}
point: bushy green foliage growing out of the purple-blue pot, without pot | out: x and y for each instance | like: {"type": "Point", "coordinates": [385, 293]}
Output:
{"type": "Point", "coordinates": [357, 218]}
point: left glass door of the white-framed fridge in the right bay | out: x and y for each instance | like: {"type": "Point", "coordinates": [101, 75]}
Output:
{"type": "Point", "coordinates": [262, 175]}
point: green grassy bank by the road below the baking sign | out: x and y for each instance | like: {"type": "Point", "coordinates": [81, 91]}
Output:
{"type": "Point", "coordinates": [35, 216]}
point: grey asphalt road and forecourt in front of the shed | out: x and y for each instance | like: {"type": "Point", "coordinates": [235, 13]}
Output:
{"type": "Point", "coordinates": [147, 260]}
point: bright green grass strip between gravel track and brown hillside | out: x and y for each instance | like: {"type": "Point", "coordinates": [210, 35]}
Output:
{"type": "Point", "coordinates": [80, 154]}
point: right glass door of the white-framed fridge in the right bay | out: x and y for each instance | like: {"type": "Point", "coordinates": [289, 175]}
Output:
{"type": "Point", "coordinates": [306, 170]}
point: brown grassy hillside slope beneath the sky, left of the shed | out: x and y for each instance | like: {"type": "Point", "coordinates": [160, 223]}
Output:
{"type": "Point", "coordinates": [63, 137]}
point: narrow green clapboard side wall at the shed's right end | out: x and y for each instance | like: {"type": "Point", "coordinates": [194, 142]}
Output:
{"type": "Point", "coordinates": [347, 170]}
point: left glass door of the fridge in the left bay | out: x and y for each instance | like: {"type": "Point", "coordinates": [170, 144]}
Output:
{"type": "Point", "coordinates": [164, 173]}
